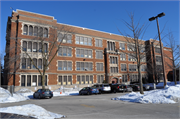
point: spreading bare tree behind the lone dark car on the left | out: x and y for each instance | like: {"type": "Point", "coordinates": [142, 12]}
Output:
{"type": "Point", "coordinates": [49, 45]}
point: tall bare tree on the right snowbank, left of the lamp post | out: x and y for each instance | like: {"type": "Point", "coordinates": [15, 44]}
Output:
{"type": "Point", "coordinates": [138, 50]}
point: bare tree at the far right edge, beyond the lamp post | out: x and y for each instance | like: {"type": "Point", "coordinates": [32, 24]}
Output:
{"type": "Point", "coordinates": [175, 60]}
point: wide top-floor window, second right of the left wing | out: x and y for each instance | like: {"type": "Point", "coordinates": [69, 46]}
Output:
{"type": "Point", "coordinates": [83, 40]}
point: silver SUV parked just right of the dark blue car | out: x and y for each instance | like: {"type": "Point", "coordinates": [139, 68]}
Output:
{"type": "Point", "coordinates": [102, 87]}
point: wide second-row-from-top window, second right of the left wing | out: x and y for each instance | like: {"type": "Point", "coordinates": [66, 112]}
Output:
{"type": "Point", "coordinates": [86, 53]}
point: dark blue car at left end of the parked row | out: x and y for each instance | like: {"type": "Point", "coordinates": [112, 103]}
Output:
{"type": "Point", "coordinates": [88, 91]}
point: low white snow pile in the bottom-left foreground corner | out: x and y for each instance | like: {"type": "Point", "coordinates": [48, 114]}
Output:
{"type": "Point", "coordinates": [31, 110]}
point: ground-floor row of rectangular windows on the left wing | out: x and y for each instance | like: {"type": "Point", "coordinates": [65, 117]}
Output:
{"type": "Point", "coordinates": [32, 80]}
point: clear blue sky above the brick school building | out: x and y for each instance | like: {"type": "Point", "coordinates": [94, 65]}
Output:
{"type": "Point", "coordinates": [99, 15]}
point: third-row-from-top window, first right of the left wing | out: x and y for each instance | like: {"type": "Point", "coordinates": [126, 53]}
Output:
{"type": "Point", "coordinates": [65, 65]}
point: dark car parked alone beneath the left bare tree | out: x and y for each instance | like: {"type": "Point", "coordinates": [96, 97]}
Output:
{"type": "Point", "coordinates": [43, 93]}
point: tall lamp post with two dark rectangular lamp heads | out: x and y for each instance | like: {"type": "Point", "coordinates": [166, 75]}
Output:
{"type": "Point", "coordinates": [151, 19]}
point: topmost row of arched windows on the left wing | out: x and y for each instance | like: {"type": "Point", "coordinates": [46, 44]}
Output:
{"type": "Point", "coordinates": [35, 31]}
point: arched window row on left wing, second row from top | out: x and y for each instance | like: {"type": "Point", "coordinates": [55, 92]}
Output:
{"type": "Point", "coordinates": [30, 46]}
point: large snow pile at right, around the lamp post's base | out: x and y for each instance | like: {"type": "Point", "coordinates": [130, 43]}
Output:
{"type": "Point", "coordinates": [171, 94]}
